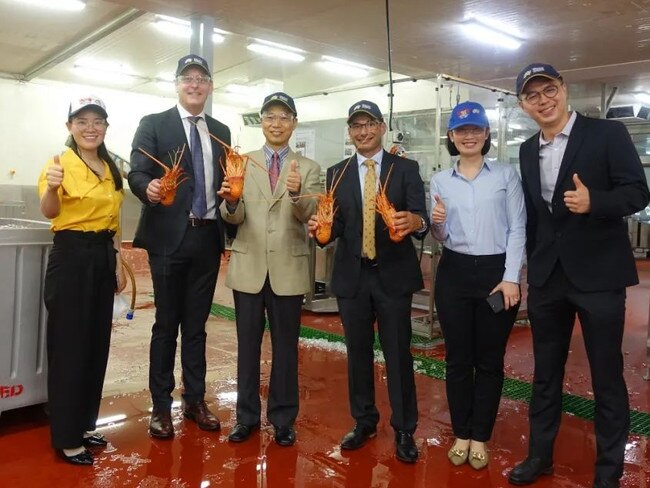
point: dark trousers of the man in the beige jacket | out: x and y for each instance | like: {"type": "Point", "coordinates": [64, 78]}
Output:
{"type": "Point", "coordinates": [284, 321]}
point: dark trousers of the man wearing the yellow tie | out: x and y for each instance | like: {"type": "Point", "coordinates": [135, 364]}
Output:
{"type": "Point", "coordinates": [393, 316]}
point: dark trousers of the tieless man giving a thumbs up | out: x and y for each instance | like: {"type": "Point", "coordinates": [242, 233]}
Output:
{"type": "Point", "coordinates": [552, 309]}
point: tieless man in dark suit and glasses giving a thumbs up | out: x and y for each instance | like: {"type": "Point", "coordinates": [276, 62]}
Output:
{"type": "Point", "coordinates": [581, 177]}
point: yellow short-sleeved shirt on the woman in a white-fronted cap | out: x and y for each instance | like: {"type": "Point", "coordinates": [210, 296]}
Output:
{"type": "Point", "coordinates": [88, 204]}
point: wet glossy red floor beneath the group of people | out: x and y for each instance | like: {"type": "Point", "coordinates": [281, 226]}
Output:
{"type": "Point", "coordinates": [198, 459]}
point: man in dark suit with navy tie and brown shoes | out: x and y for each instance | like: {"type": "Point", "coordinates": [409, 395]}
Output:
{"type": "Point", "coordinates": [184, 240]}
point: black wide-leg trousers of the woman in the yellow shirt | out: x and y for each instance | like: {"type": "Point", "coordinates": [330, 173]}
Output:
{"type": "Point", "coordinates": [79, 289]}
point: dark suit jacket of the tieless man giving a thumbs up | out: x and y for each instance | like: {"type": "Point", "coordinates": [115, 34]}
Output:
{"type": "Point", "coordinates": [593, 249]}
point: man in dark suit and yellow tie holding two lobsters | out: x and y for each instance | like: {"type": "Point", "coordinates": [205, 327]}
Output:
{"type": "Point", "coordinates": [374, 277]}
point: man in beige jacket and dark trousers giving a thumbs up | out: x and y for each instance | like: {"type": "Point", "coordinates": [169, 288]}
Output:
{"type": "Point", "coordinates": [269, 268]}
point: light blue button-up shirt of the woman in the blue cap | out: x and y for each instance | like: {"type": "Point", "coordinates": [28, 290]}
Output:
{"type": "Point", "coordinates": [485, 215]}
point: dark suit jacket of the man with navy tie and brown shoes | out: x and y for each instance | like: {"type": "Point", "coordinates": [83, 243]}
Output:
{"type": "Point", "coordinates": [161, 229]}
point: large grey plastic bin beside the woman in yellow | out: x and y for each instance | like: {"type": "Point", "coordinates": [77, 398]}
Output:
{"type": "Point", "coordinates": [24, 250]}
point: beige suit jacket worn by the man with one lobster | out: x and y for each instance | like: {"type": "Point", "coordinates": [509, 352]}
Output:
{"type": "Point", "coordinates": [271, 236]}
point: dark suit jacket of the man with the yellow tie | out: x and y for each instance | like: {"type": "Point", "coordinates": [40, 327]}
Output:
{"type": "Point", "coordinates": [398, 265]}
